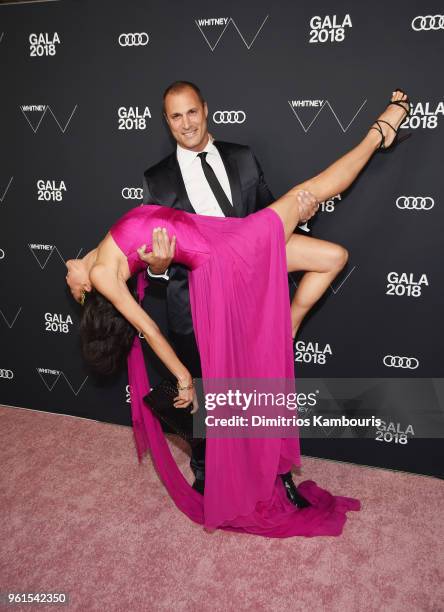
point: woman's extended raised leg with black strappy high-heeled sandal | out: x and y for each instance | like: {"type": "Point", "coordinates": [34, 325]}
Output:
{"type": "Point", "coordinates": [341, 174]}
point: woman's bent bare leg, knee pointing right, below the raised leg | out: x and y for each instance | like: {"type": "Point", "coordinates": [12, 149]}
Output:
{"type": "Point", "coordinates": [322, 261]}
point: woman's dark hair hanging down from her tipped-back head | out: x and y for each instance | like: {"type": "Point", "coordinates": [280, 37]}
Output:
{"type": "Point", "coordinates": [105, 335]}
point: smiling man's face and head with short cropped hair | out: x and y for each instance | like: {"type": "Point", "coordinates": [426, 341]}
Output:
{"type": "Point", "coordinates": [187, 119]}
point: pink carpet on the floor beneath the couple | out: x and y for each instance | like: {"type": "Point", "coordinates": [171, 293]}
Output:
{"type": "Point", "coordinates": [80, 515]}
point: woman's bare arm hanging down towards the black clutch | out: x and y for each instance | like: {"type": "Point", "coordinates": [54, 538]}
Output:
{"type": "Point", "coordinates": [106, 280]}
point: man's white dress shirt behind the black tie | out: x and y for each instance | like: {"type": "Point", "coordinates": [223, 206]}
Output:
{"type": "Point", "coordinates": [199, 191]}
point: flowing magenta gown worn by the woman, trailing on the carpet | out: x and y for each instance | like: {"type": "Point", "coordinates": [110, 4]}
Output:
{"type": "Point", "coordinates": [241, 315]}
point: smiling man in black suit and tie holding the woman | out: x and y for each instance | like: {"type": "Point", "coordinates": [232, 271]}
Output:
{"type": "Point", "coordinates": [202, 176]}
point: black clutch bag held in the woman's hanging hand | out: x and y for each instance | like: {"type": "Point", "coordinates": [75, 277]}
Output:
{"type": "Point", "coordinates": [160, 400]}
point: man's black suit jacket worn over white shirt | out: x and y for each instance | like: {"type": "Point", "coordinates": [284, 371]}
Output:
{"type": "Point", "coordinates": [163, 185]}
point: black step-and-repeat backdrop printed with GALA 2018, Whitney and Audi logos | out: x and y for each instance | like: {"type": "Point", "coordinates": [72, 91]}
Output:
{"type": "Point", "coordinates": [81, 119]}
